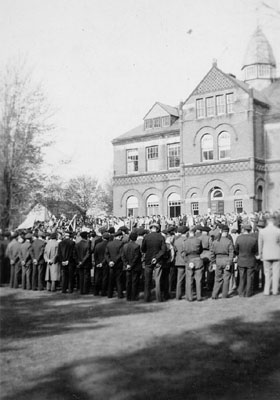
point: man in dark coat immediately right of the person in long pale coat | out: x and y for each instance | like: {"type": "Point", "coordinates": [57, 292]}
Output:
{"type": "Point", "coordinates": [65, 257]}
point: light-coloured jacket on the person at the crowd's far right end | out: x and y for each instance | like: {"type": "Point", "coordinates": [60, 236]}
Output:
{"type": "Point", "coordinates": [269, 242]}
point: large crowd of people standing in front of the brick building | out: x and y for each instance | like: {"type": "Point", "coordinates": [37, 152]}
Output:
{"type": "Point", "coordinates": [191, 257]}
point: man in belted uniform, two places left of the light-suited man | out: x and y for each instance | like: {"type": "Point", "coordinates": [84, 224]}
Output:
{"type": "Point", "coordinates": [222, 253]}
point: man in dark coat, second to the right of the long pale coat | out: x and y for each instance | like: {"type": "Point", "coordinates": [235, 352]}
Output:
{"type": "Point", "coordinates": [82, 257]}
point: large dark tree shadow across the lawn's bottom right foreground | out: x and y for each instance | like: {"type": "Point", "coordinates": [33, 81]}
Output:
{"type": "Point", "coordinates": [234, 359]}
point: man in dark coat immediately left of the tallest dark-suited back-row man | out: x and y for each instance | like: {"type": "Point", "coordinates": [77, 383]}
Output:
{"type": "Point", "coordinates": [132, 262]}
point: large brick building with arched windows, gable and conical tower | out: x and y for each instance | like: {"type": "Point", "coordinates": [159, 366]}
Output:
{"type": "Point", "coordinates": [218, 150]}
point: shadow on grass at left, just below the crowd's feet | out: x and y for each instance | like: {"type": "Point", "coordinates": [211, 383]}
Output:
{"type": "Point", "coordinates": [47, 314]}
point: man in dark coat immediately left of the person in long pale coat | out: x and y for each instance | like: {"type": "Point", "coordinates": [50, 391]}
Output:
{"type": "Point", "coordinates": [38, 268]}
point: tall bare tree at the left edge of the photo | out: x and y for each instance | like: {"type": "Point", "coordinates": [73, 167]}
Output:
{"type": "Point", "coordinates": [24, 124]}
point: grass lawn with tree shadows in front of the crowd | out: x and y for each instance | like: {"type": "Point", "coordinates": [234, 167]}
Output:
{"type": "Point", "coordinates": [56, 346]}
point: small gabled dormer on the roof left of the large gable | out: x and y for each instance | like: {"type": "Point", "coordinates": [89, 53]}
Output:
{"type": "Point", "coordinates": [160, 116]}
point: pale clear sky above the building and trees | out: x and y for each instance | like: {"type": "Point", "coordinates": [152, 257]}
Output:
{"type": "Point", "coordinates": [103, 64]}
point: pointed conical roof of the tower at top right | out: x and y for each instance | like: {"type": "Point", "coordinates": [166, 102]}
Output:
{"type": "Point", "coordinates": [259, 50]}
